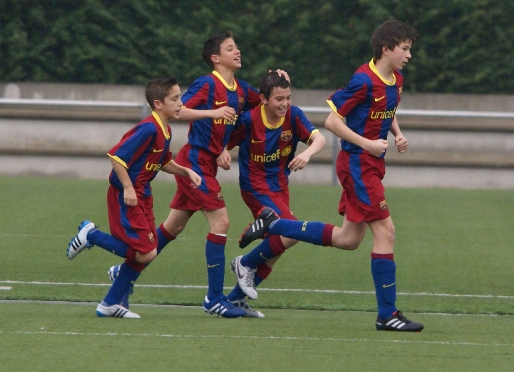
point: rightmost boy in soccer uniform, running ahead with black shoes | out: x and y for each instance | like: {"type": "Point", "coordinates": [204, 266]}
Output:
{"type": "Point", "coordinates": [369, 104]}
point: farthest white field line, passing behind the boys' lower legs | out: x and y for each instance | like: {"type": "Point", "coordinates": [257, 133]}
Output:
{"type": "Point", "coordinates": [304, 290]}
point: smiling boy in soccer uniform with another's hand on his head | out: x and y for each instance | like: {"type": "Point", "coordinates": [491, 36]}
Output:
{"type": "Point", "coordinates": [267, 137]}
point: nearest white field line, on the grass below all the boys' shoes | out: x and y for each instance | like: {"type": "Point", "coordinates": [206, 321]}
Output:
{"type": "Point", "coordinates": [268, 338]}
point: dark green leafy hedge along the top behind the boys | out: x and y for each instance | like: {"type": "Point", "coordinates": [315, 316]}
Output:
{"type": "Point", "coordinates": [463, 44]}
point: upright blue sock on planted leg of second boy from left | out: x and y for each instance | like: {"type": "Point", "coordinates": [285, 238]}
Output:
{"type": "Point", "coordinates": [215, 256]}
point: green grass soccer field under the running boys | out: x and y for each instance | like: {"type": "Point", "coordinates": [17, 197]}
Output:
{"type": "Point", "coordinates": [453, 251]}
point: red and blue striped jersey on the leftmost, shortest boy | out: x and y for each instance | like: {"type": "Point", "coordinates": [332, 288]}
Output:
{"type": "Point", "coordinates": [143, 150]}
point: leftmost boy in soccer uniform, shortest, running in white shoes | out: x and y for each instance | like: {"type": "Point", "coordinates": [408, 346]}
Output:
{"type": "Point", "coordinates": [136, 159]}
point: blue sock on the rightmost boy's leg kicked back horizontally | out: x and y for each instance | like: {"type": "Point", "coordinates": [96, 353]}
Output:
{"type": "Point", "coordinates": [311, 232]}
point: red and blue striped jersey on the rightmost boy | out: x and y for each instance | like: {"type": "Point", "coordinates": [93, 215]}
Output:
{"type": "Point", "coordinates": [368, 103]}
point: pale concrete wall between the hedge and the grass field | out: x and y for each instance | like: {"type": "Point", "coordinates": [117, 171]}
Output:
{"type": "Point", "coordinates": [71, 141]}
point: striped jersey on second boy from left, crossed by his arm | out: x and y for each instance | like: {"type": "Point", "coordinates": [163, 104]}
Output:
{"type": "Point", "coordinates": [211, 92]}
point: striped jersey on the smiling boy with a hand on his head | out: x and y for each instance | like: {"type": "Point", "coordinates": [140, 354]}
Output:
{"type": "Point", "coordinates": [266, 150]}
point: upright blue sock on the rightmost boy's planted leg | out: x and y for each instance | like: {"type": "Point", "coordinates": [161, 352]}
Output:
{"type": "Point", "coordinates": [383, 270]}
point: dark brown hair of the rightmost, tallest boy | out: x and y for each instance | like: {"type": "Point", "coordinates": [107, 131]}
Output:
{"type": "Point", "coordinates": [390, 34]}
